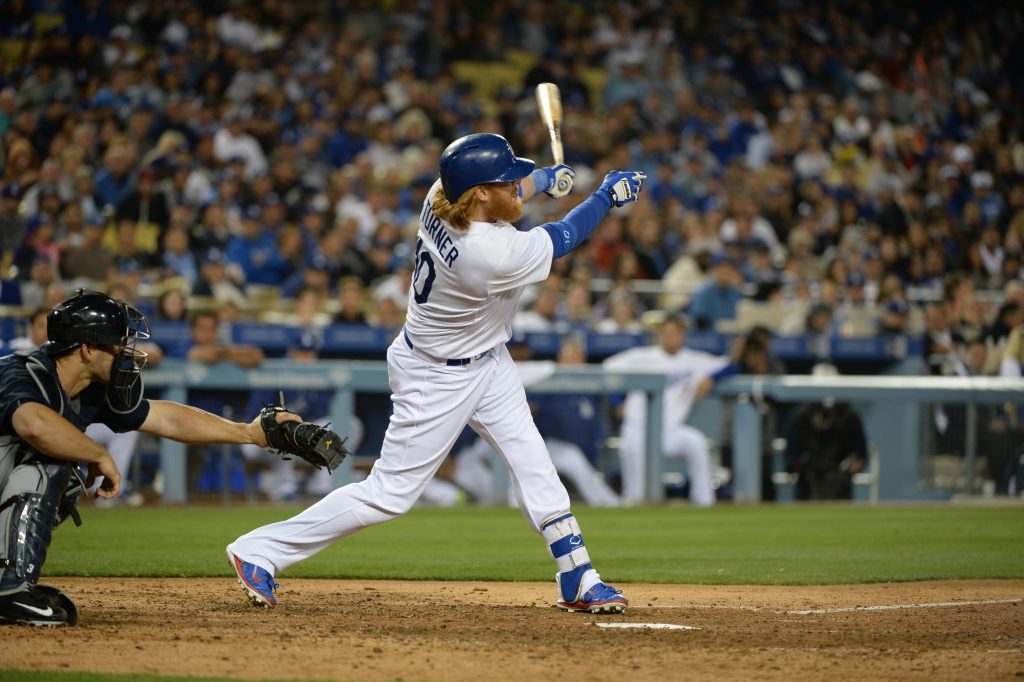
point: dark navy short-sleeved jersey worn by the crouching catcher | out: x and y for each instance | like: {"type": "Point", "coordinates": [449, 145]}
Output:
{"type": "Point", "coordinates": [33, 378]}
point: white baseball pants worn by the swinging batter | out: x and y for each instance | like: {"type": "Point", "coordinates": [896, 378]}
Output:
{"type": "Point", "coordinates": [433, 404]}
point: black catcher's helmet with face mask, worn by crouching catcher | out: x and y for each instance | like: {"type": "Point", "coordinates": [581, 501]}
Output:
{"type": "Point", "coordinates": [98, 320]}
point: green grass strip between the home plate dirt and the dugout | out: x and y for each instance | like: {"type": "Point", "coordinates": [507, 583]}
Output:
{"type": "Point", "coordinates": [757, 545]}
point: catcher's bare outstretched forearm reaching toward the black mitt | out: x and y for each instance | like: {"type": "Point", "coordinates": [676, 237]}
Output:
{"type": "Point", "coordinates": [195, 427]}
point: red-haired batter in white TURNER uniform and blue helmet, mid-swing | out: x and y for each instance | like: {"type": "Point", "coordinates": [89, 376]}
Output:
{"type": "Point", "coordinates": [450, 368]}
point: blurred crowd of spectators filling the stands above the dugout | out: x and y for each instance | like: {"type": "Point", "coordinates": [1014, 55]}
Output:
{"type": "Point", "coordinates": [842, 161]}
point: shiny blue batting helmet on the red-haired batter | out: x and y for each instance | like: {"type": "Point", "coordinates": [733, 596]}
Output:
{"type": "Point", "coordinates": [480, 159]}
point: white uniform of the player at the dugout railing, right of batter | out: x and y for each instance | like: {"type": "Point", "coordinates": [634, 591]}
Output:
{"type": "Point", "coordinates": [684, 371]}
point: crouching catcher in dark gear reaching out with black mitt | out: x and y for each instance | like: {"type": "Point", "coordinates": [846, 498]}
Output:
{"type": "Point", "coordinates": [90, 371]}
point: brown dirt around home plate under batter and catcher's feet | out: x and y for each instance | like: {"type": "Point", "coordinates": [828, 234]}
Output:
{"type": "Point", "coordinates": [364, 630]}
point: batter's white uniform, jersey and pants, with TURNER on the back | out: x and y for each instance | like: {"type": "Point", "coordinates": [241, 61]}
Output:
{"type": "Point", "coordinates": [449, 368]}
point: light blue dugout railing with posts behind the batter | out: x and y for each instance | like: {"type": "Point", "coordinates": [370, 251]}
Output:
{"type": "Point", "coordinates": [890, 407]}
